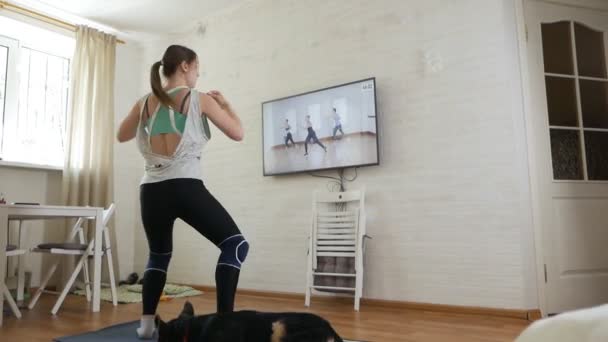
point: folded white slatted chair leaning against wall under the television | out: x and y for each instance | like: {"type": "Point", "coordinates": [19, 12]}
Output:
{"type": "Point", "coordinates": [338, 230]}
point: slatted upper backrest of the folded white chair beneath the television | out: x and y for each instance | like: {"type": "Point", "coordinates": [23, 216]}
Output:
{"type": "Point", "coordinates": [338, 224]}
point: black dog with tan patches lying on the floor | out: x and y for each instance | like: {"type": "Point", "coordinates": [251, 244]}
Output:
{"type": "Point", "coordinates": [246, 326]}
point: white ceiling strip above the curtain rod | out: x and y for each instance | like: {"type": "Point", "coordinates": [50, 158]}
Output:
{"type": "Point", "coordinates": [133, 18]}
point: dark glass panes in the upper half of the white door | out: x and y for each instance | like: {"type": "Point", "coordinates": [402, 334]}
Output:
{"type": "Point", "coordinates": [576, 83]}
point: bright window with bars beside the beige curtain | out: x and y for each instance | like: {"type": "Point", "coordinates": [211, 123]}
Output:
{"type": "Point", "coordinates": [34, 83]}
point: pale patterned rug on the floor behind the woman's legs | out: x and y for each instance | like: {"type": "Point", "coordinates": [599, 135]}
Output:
{"type": "Point", "coordinates": [132, 293]}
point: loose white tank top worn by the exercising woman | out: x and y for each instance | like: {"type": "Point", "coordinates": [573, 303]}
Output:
{"type": "Point", "coordinates": [186, 160]}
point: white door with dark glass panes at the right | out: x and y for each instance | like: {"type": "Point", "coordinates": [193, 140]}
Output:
{"type": "Point", "coordinates": [567, 55]}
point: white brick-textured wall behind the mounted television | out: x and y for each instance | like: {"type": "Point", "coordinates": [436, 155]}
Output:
{"type": "Point", "coordinates": [449, 207]}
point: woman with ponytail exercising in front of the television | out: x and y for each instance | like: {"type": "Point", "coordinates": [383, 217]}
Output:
{"type": "Point", "coordinates": [170, 128]}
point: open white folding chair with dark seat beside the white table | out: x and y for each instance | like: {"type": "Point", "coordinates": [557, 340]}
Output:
{"type": "Point", "coordinates": [84, 250]}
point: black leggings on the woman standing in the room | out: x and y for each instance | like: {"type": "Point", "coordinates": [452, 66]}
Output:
{"type": "Point", "coordinates": [189, 200]}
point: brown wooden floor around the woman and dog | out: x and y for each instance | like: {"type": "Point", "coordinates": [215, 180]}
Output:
{"type": "Point", "coordinates": [370, 324]}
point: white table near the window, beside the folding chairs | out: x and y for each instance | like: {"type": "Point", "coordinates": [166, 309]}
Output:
{"type": "Point", "coordinates": [44, 212]}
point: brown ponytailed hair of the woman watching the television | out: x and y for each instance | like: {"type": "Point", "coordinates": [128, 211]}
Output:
{"type": "Point", "coordinates": [172, 59]}
